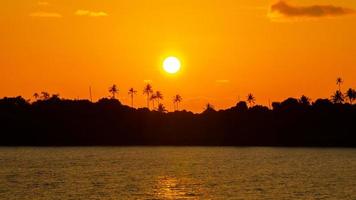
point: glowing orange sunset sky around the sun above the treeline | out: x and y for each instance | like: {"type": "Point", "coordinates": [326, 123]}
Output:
{"type": "Point", "coordinates": [228, 48]}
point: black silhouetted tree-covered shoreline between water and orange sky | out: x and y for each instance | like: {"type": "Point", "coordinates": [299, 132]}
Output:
{"type": "Point", "coordinates": [61, 122]}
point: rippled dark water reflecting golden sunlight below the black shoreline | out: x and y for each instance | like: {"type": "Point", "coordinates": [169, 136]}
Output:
{"type": "Point", "coordinates": [177, 173]}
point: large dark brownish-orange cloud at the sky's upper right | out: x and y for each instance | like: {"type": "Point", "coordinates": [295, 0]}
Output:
{"type": "Point", "coordinates": [283, 9]}
